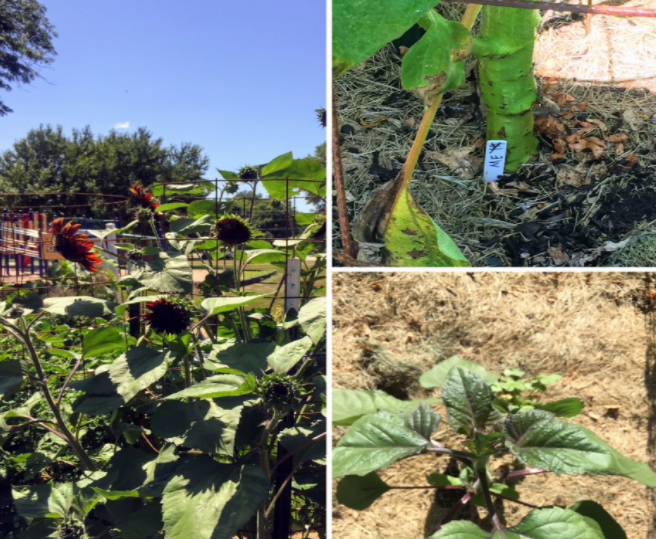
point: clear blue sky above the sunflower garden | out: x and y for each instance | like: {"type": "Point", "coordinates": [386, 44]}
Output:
{"type": "Point", "coordinates": [241, 79]}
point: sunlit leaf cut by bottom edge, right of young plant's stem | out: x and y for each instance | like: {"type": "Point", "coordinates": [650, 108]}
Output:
{"type": "Point", "coordinates": [551, 522]}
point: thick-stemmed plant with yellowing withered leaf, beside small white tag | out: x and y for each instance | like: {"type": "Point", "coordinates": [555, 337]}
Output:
{"type": "Point", "coordinates": [391, 219]}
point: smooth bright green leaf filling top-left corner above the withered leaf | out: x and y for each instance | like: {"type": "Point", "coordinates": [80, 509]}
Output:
{"type": "Point", "coordinates": [362, 27]}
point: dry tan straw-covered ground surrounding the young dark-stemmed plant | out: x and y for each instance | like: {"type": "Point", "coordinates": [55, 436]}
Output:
{"type": "Point", "coordinates": [595, 329]}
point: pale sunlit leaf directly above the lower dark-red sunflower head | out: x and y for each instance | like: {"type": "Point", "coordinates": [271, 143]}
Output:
{"type": "Point", "coordinates": [167, 272]}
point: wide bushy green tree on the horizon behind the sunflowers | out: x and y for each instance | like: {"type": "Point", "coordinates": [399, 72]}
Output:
{"type": "Point", "coordinates": [48, 162]}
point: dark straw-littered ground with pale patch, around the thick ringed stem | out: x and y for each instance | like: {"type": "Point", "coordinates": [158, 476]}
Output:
{"type": "Point", "coordinates": [541, 215]}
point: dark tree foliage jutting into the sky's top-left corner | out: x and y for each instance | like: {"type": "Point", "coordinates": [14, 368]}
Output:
{"type": "Point", "coordinates": [25, 43]}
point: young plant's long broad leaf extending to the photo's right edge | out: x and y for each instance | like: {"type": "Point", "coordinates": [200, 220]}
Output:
{"type": "Point", "coordinates": [538, 439]}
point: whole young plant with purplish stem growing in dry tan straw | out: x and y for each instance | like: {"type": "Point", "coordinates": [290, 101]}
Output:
{"type": "Point", "coordinates": [383, 431]}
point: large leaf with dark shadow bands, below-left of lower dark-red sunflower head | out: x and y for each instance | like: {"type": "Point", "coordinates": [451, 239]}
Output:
{"type": "Point", "coordinates": [115, 384]}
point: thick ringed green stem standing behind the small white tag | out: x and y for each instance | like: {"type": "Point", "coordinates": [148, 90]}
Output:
{"type": "Point", "coordinates": [507, 84]}
